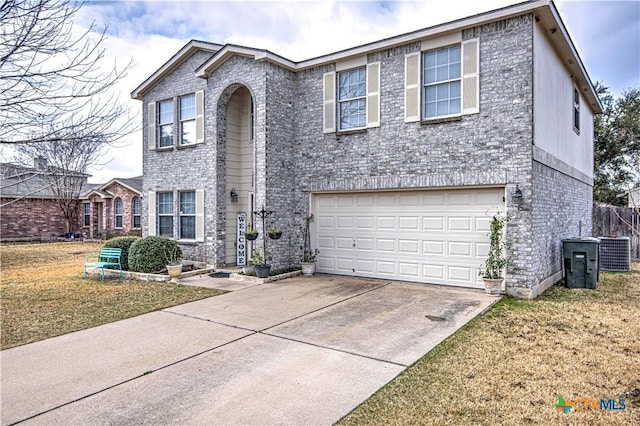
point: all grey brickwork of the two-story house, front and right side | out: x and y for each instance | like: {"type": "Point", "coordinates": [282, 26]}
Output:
{"type": "Point", "coordinates": [294, 158]}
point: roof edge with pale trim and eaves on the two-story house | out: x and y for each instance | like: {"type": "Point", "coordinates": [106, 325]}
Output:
{"type": "Point", "coordinates": [544, 10]}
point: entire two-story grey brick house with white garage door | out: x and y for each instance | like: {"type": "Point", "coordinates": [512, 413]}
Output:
{"type": "Point", "coordinates": [403, 149]}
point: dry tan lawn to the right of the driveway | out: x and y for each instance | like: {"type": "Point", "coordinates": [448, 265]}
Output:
{"type": "Point", "coordinates": [510, 366]}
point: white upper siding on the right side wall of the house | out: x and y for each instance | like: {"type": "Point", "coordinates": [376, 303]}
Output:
{"type": "Point", "coordinates": [552, 110]}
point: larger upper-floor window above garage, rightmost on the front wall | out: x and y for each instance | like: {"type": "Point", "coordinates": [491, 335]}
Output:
{"type": "Point", "coordinates": [441, 82]}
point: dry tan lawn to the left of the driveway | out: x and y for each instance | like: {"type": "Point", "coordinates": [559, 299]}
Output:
{"type": "Point", "coordinates": [44, 294]}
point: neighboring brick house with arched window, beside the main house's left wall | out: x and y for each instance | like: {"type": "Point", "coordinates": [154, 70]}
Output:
{"type": "Point", "coordinates": [113, 208]}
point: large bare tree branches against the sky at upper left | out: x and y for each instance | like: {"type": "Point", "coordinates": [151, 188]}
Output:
{"type": "Point", "coordinates": [52, 84]}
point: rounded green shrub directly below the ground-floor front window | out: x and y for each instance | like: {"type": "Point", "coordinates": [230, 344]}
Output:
{"type": "Point", "coordinates": [151, 254]}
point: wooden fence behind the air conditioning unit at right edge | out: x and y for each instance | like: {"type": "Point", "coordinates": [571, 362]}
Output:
{"type": "Point", "coordinates": [611, 221]}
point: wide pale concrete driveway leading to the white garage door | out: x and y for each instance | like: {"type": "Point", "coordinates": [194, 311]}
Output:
{"type": "Point", "coordinates": [306, 350]}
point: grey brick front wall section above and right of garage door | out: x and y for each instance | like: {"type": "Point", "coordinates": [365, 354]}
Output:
{"type": "Point", "coordinates": [493, 147]}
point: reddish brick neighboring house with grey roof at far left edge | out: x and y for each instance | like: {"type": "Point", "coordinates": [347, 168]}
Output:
{"type": "Point", "coordinates": [29, 208]}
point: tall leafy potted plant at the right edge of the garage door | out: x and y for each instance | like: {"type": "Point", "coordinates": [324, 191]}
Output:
{"type": "Point", "coordinates": [497, 261]}
